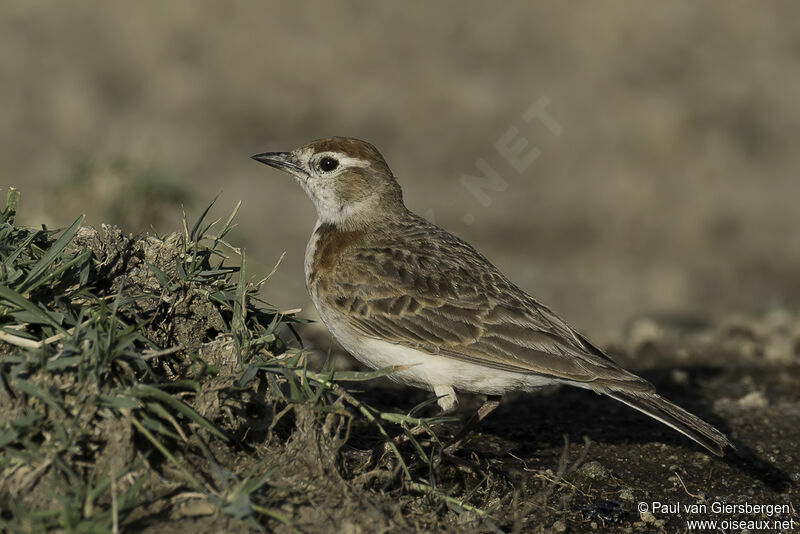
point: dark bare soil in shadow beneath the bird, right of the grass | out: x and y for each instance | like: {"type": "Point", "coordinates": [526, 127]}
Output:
{"type": "Point", "coordinates": [566, 460]}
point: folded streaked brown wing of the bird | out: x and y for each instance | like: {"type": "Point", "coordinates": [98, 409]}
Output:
{"type": "Point", "coordinates": [437, 294]}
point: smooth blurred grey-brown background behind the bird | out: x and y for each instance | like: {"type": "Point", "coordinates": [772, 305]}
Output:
{"type": "Point", "coordinates": [672, 186]}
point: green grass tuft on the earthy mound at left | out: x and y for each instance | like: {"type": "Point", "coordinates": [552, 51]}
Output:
{"type": "Point", "coordinates": [129, 366]}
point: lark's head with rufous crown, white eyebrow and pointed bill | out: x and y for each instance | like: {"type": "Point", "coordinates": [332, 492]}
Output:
{"type": "Point", "coordinates": [347, 179]}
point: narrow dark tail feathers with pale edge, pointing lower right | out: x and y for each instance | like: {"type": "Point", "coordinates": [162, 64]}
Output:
{"type": "Point", "coordinates": [671, 415]}
